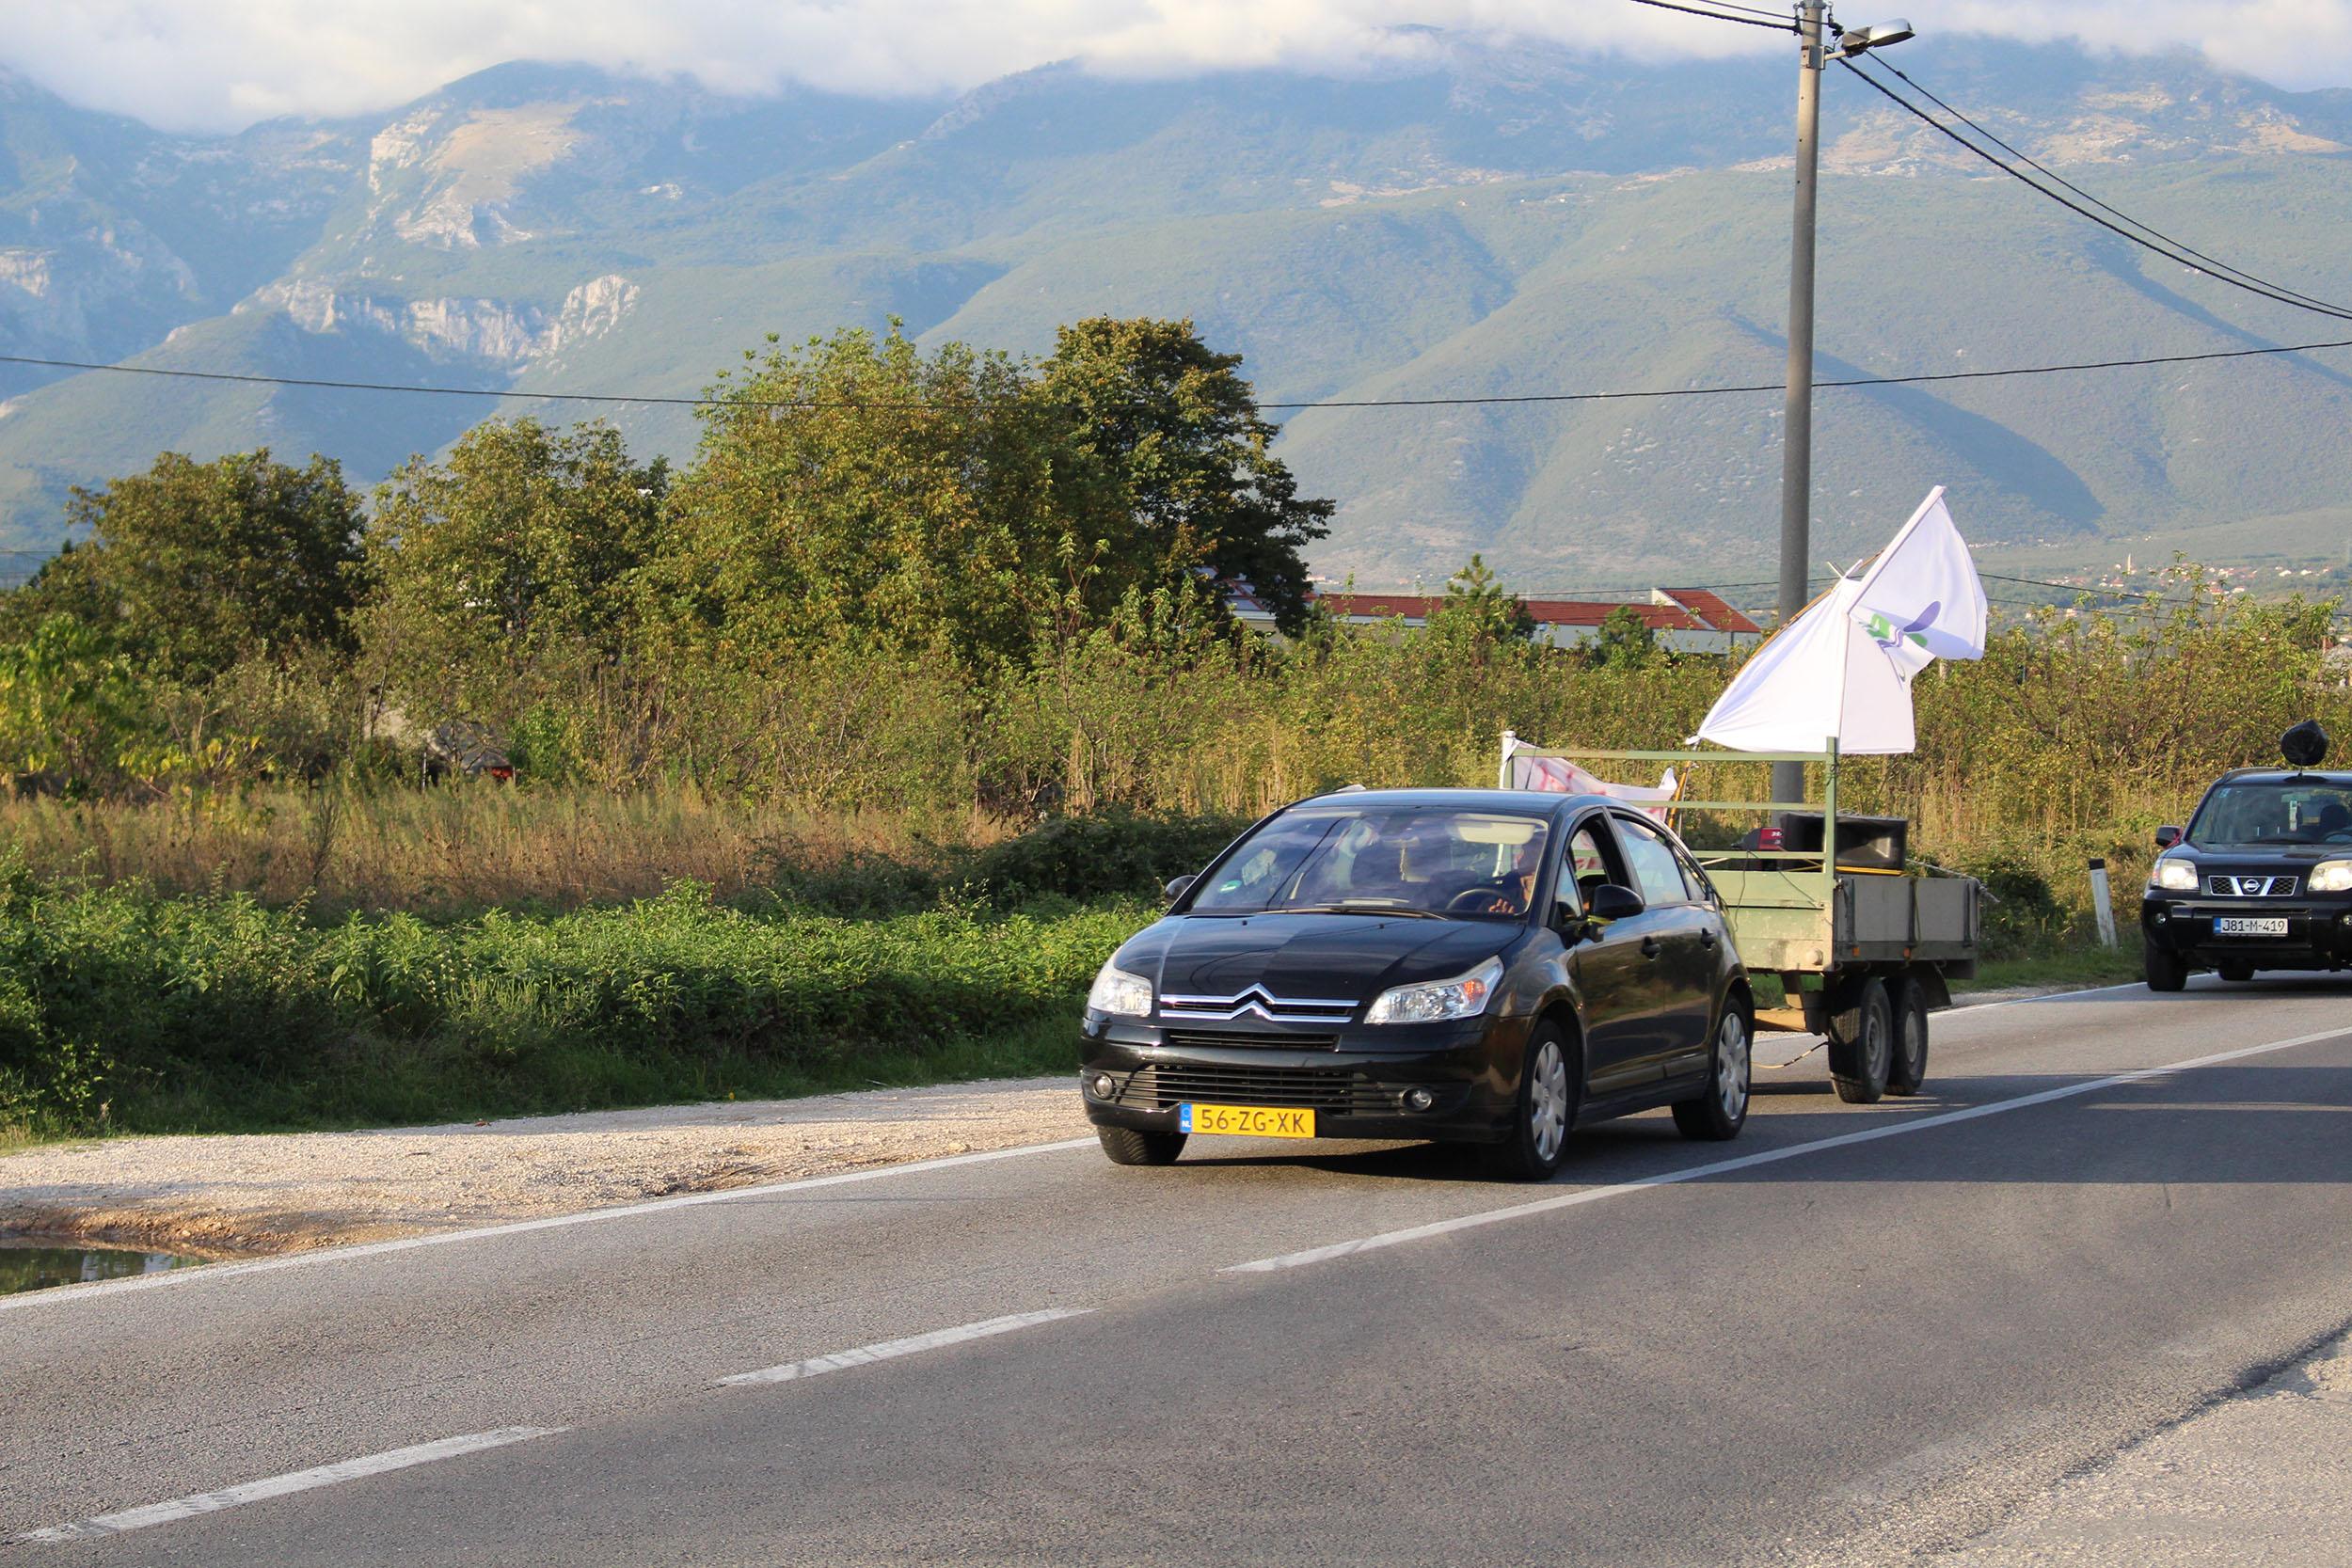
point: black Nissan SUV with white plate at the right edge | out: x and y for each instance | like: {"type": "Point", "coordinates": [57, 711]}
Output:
{"type": "Point", "coordinates": [2261, 880]}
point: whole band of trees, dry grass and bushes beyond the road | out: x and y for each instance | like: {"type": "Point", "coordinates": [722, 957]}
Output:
{"type": "Point", "coordinates": [916, 674]}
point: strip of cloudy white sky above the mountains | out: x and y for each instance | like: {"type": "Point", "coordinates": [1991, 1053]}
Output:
{"type": "Point", "coordinates": [222, 65]}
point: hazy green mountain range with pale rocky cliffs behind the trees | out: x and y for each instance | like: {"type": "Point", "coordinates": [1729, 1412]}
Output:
{"type": "Point", "coordinates": [1471, 220]}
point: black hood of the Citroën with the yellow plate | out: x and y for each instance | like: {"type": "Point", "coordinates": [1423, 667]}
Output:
{"type": "Point", "coordinates": [1309, 956]}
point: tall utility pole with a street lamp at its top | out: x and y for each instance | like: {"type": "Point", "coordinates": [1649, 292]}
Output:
{"type": "Point", "coordinates": [1798, 415]}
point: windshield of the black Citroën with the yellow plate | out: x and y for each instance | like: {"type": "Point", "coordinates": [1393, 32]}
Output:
{"type": "Point", "coordinates": [1382, 862]}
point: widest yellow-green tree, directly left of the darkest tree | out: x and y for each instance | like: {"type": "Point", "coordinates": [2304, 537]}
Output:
{"type": "Point", "coordinates": [855, 490]}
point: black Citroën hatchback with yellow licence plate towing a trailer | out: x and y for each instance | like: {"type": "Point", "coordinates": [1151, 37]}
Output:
{"type": "Point", "coordinates": [1457, 965]}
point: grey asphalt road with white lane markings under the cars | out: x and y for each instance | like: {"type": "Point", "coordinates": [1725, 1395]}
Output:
{"type": "Point", "coordinates": [1852, 1334]}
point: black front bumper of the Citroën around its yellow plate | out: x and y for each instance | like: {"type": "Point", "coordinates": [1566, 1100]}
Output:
{"type": "Point", "coordinates": [1361, 1085]}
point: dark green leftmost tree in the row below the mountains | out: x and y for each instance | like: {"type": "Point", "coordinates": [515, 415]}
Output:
{"type": "Point", "coordinates": [199, 565]}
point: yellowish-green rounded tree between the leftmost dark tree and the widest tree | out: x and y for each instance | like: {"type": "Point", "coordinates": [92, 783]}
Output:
{"type": "Point", "coordinates": [512, 556]}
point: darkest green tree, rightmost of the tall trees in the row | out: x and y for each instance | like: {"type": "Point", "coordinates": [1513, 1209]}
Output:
{"type": "Point", "coordinates": [1196, 483]}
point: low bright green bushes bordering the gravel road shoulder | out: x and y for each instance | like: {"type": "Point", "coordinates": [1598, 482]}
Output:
{"type": "Point", "coordinates": [220, 1012]}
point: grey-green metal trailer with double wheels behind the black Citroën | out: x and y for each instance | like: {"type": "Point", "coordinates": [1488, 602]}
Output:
{"type": "Point", "coordinates": [1862, 942]}
